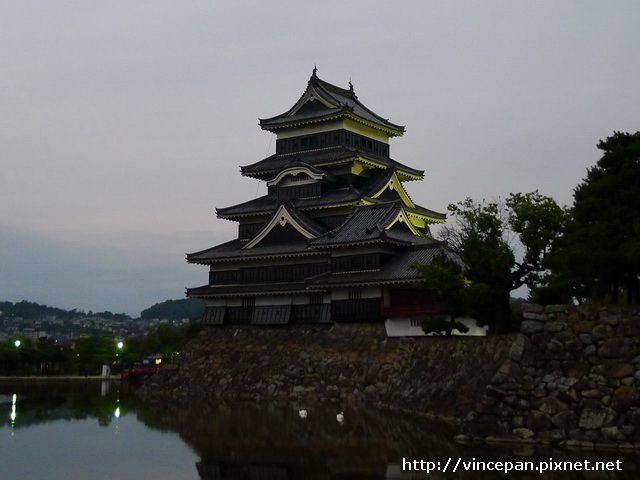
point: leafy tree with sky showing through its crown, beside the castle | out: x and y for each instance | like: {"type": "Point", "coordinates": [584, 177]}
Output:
{"type": "Point", "coordinates": [503, 245]}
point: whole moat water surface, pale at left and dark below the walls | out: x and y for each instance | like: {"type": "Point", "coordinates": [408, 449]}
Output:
{"type": "Point", "coordinates": [100, 431]}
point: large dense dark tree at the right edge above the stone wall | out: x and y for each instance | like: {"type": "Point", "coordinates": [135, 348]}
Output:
{"type": "Point", "coordinates": [598, 256]}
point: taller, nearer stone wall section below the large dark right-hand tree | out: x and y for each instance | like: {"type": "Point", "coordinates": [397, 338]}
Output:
{"type": "Point", "coordinates": [572, 376]}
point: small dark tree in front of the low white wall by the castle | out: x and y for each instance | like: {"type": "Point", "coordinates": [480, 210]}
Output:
{"type": "Point", "coordinates": [447, 285]}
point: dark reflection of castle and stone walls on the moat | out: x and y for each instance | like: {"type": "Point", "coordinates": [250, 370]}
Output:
{"type": "Point", "coordinates": [269, 441]}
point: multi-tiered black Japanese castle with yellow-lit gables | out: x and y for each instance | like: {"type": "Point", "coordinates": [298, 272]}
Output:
{"type": "Point", "coordinates": [333, 238]}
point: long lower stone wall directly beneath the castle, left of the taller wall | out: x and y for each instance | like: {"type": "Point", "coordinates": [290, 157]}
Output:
{"type": "Point", "coordinates": [338, 364]}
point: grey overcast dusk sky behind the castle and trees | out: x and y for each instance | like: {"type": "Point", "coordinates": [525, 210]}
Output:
{"type": "Point", "coordinates": [123, 123]}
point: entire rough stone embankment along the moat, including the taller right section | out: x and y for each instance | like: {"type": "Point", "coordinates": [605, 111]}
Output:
{"type": "Point", "coordinates": [572, 375]}
